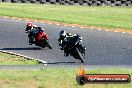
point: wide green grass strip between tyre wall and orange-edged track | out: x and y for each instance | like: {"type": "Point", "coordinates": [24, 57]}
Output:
{"type": "Point", "coordinates": [107, 17]}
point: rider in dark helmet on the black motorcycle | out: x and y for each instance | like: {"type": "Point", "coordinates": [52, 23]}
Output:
{"type": "Point", "coordinates": [68, 38]}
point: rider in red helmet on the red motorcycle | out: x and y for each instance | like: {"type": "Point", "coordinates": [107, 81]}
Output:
{"type": "Point", "coordinates": [32, 31]}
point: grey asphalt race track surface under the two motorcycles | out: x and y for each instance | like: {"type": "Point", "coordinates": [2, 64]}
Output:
{"type": "Point", "coordinates": [103, 48]}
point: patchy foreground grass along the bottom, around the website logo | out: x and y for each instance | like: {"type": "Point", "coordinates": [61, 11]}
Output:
{"type": "Point", "coordinates": [52, 77]}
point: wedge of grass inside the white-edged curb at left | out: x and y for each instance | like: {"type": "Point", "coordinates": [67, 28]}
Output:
{"type": "Point", "coordinates": [6, 59]}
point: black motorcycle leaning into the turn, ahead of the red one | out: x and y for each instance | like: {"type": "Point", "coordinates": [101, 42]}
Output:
{"type": "Point", "coordinates": [75, 49]}
